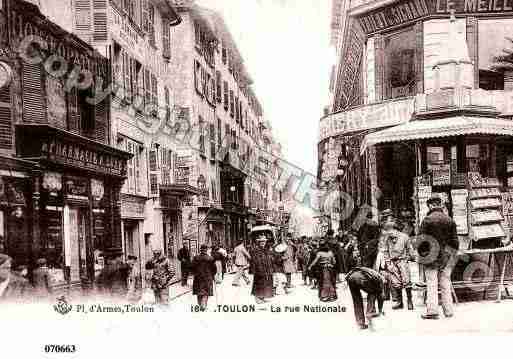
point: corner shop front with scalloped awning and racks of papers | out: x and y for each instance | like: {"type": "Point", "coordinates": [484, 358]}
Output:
{"type": "Point", "coordinates": [465, 158]}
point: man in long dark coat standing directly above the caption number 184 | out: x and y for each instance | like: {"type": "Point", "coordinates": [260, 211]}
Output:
{"type": "Point", "coordinates": [204, 271]}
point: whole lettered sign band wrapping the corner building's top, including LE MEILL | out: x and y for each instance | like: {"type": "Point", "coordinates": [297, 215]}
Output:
{"type": "Point", "coordinates": [406, 11]}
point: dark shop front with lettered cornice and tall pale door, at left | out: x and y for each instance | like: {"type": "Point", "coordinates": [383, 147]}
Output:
{"type": "Point", "coordinates": [76, 213]}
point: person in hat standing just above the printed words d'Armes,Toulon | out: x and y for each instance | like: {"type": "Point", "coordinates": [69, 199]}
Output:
{"type": "Point", "coordinates": [163, 272]}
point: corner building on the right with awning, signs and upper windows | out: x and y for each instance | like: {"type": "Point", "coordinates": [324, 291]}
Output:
{"type": "Point", "coordinates": [422, 101]}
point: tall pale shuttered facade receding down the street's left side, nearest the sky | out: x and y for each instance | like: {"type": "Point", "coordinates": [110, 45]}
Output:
{"type": "Point", "coordinates": [232, 155]}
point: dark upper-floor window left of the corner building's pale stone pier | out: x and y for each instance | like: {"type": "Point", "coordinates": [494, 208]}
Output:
{"type": "Point", "coordinates": [400, 64]}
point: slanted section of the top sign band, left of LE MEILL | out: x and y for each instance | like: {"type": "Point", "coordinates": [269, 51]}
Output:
{"type": "Point", "coordinates": [396, 14]}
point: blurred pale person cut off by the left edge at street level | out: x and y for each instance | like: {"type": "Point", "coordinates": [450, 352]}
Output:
{"type": "Point", "coordinates": [13, 288]}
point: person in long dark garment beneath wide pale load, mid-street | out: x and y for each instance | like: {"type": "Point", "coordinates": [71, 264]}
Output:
{"type": "Point", "coordinates": [261, 265]}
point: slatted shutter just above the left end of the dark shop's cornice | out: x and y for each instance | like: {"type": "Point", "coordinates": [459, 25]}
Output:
{"type": "Point", "coordinates": [34, 104]}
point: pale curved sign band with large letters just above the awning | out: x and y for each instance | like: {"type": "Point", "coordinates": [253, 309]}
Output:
{"type": "Point", "coordinates": [374, 116]}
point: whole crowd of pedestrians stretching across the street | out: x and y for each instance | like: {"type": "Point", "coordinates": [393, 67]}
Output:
{"type": "Point", "coordinates": [376, 258]}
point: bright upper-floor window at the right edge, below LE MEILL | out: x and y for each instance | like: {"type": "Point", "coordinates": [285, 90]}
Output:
{"type": "Point", "coordinates": [495, 56]}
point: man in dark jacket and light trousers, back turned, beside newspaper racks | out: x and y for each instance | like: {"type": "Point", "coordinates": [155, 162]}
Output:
{"type": "Point", "coordinates": [438, 247]}
